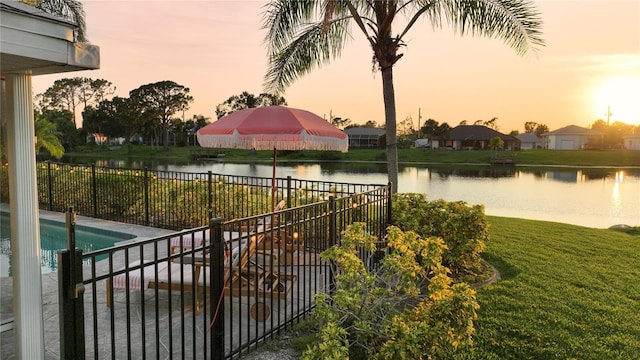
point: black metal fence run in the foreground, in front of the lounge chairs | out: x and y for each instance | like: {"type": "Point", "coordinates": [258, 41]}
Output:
{"type": "Point", "coordinates": [216, 291]}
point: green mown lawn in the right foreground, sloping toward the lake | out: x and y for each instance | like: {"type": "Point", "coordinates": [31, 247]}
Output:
{"type": "Point", "coordinates": [566, 292]}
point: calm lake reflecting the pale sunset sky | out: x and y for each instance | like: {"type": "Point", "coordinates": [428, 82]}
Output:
{"type": "Point", "coordinates": [593, 197]}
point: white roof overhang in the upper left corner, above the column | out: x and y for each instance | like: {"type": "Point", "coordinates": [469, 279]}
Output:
{"type": "Point", "coordinates": [32, 41]}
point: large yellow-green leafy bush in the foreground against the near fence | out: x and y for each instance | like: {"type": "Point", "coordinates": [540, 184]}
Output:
{"type": "Point", "coordinates": [408, 308]}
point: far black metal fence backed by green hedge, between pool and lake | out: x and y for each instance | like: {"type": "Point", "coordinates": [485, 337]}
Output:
{"type": "Point", "coordinates": [169, 199]}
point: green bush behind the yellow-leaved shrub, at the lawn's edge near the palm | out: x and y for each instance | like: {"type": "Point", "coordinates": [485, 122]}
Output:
{"type": "Point", "coordinates": [463, 228]}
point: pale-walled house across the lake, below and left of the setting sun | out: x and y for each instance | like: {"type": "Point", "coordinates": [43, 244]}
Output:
{"type": "Point", "coordinates": [573, 137]}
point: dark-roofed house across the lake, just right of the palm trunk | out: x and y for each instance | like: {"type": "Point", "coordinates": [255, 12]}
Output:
{"type": "Point", "coordinates": [474, 137]}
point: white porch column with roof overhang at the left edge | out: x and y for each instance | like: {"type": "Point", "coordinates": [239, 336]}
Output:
{"type": "Point", "coordinates": [32, 43]}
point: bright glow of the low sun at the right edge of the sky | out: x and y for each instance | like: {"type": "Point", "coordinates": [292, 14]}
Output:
{"type": "Point", "coordinates": [619, 96]}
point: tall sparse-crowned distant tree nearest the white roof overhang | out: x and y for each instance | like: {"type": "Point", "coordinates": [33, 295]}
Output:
{"type": "Point", "coordinates": [68, 93]}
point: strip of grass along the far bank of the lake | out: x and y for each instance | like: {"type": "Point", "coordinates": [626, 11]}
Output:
{"type": "Point", "coordinates": [606, 158]}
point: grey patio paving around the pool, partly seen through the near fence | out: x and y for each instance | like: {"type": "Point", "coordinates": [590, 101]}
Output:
{"type": "Point", "coordinates": [176, 336]}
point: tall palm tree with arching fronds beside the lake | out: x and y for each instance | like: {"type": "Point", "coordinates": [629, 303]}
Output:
{"type": "Point", "coordinates": [305, 34]}
